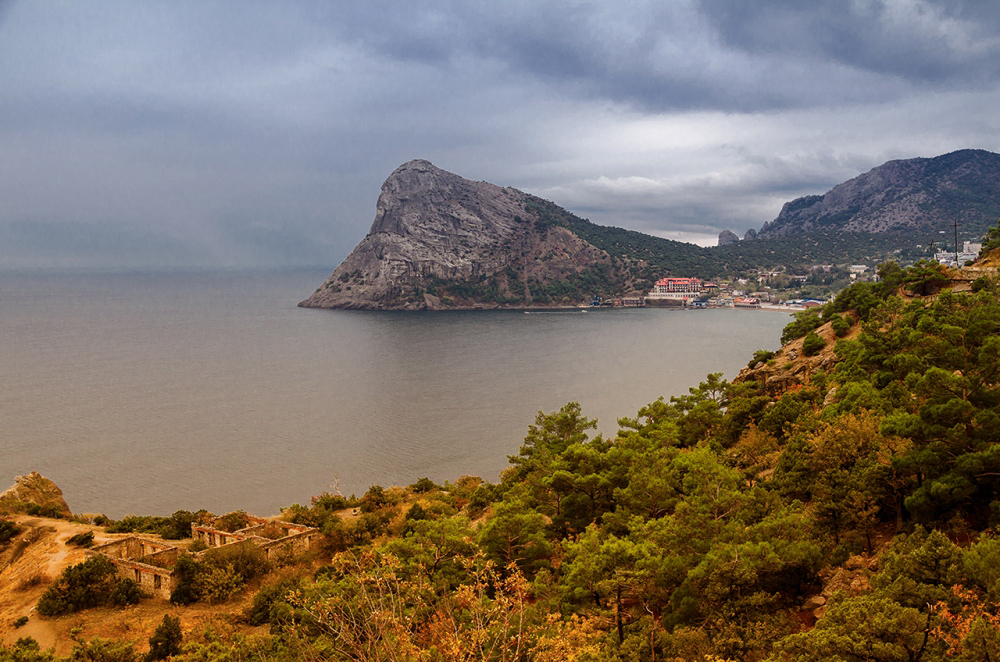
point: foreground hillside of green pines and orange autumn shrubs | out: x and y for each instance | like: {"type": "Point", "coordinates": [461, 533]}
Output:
{"type": "Point", "coordinates": [851, 518]}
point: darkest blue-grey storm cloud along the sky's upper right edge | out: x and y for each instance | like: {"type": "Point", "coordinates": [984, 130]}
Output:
{"type": "Point", "coordinates": [713, 54]}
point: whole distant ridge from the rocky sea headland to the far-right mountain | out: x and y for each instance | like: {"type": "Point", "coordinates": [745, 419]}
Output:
{"type": "Point", "coordinates": [440, 241]}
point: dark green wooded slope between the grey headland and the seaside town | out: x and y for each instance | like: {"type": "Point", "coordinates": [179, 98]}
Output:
{"type": "Point", "coordinates": [639, 260]}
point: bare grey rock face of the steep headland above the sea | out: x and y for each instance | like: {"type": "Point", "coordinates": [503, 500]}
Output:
{"type": "Point", "coordinates": [433, 227]}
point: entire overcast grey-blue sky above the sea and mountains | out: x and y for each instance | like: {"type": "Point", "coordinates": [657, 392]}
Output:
{"type": "Point", "coordinates": [245, 134]}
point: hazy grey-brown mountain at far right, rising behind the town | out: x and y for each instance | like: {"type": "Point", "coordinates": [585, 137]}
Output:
{"type": "Point", "coordinates": [904, 194]}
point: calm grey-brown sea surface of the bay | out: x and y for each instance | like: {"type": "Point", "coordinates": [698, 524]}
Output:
{"type": "Point", "coordinates": [147, 393]}
